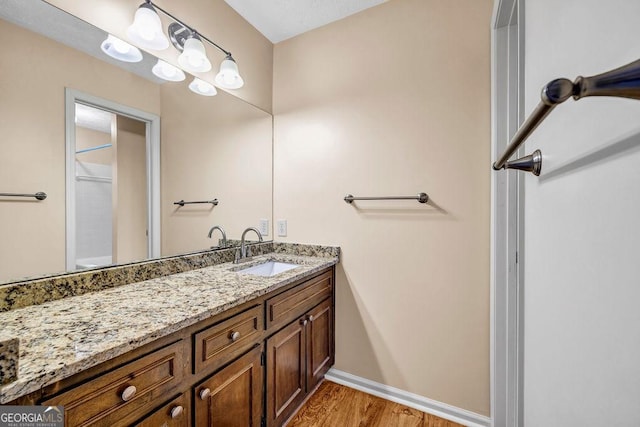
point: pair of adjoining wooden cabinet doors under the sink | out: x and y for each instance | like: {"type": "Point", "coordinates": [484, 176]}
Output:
{"type": "Point", "coordinates": [298, 356]}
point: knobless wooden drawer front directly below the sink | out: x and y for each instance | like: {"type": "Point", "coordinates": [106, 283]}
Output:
{"type": "Point", "coordinates": [293, 303]}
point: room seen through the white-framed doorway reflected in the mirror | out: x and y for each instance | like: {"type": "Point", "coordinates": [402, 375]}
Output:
{"type": "Point", "coordinates": [110, 188]}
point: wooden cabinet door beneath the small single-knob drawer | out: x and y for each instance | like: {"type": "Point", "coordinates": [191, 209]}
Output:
{"type": "Point", "coordinates": [233, 396]}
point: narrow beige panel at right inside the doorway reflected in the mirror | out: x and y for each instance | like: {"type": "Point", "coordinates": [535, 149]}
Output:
{"type": "Point", "coordinates": [130, 195]}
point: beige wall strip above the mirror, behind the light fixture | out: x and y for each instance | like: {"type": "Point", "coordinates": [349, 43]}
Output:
{"type": "Point", "coordinates": [214, 19]}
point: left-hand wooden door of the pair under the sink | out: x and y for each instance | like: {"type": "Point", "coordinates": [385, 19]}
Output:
{"type": "Point", "coordinates": [285, 372]}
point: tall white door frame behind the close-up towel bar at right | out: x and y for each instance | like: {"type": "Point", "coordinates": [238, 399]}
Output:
{"type": "Point", "coordinates": [507, 218]}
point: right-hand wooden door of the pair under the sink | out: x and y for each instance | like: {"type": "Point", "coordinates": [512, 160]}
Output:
{"type": "Point", "coordinates": [319, 343]}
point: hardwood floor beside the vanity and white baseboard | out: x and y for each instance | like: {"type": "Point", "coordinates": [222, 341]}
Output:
{"type": "Point", "coordinates": [336, 405]}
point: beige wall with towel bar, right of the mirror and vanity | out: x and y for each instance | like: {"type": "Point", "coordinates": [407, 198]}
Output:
{"type": "Point", "coordinates": [395, 100]}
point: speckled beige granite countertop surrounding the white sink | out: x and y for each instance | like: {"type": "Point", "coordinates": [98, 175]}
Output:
{"type": "Point", "coordinates": [64, 337]}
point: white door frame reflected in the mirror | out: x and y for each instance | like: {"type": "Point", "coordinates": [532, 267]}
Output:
{"type": "Point", "coordinates": [152, 137]}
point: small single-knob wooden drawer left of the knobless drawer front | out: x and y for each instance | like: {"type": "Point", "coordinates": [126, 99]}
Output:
{"type": "Point", "coordinates": [224, 341]}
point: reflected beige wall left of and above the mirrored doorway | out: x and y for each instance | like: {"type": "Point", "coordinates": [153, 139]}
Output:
{"type": "Point", "coordinates": [33, 145]}
